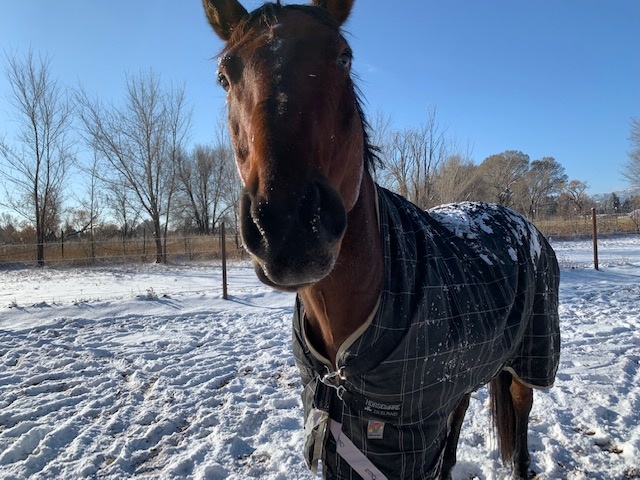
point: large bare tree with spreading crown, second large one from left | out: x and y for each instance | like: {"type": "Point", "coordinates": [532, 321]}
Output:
{"type": "Point", "coordinates": [142, 141]}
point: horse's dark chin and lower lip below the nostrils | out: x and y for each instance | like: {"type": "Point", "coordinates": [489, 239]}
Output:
{"type": "Point", "coordinates": [292, 279]}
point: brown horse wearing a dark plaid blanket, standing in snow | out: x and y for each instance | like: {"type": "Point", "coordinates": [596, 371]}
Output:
{"type": "Point", "coordinates": [400, 313]}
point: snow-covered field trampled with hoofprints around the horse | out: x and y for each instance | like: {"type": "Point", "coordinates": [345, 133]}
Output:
{"type": "Point", "coordinates": [145, 372]}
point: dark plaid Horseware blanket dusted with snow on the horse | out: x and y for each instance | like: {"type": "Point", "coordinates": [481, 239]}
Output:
{"type": "Point", "coordinates": [469, 290]}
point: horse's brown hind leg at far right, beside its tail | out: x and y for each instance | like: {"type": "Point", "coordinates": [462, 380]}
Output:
{"type": "Point", "coordinates": [522, 398]}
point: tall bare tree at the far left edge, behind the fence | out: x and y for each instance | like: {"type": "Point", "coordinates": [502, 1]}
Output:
{"type": "Point", "coordinates": [37, 161]}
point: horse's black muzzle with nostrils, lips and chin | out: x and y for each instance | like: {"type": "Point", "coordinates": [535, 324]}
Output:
{"type": "Point", "coordinates": [294, 239]}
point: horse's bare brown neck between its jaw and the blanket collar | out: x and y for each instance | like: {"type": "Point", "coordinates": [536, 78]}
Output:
{"type": "Point", "coordinates": [340, 303]}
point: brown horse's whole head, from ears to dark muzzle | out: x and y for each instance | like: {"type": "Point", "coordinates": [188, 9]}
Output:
{"type": "Point", "coordinates": [297, 131]}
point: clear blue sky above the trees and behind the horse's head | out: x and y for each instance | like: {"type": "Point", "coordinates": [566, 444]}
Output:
{"type": "Point", "coordinates": [554, 78]}
